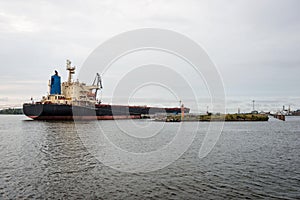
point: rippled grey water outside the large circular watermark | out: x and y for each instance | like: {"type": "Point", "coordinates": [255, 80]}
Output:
{"type": "Point", "coordinates": [251, 160]}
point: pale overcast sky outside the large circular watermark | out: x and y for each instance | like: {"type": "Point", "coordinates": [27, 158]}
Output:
{"type": "Point", "coordinates": [255, 44]}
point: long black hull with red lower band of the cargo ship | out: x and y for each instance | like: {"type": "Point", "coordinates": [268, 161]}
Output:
{"type": "Point", "coordinates": [98, 112]}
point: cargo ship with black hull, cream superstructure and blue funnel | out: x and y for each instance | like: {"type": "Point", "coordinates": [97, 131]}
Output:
{"type": "Point", "coordinates": [74, 100]}
